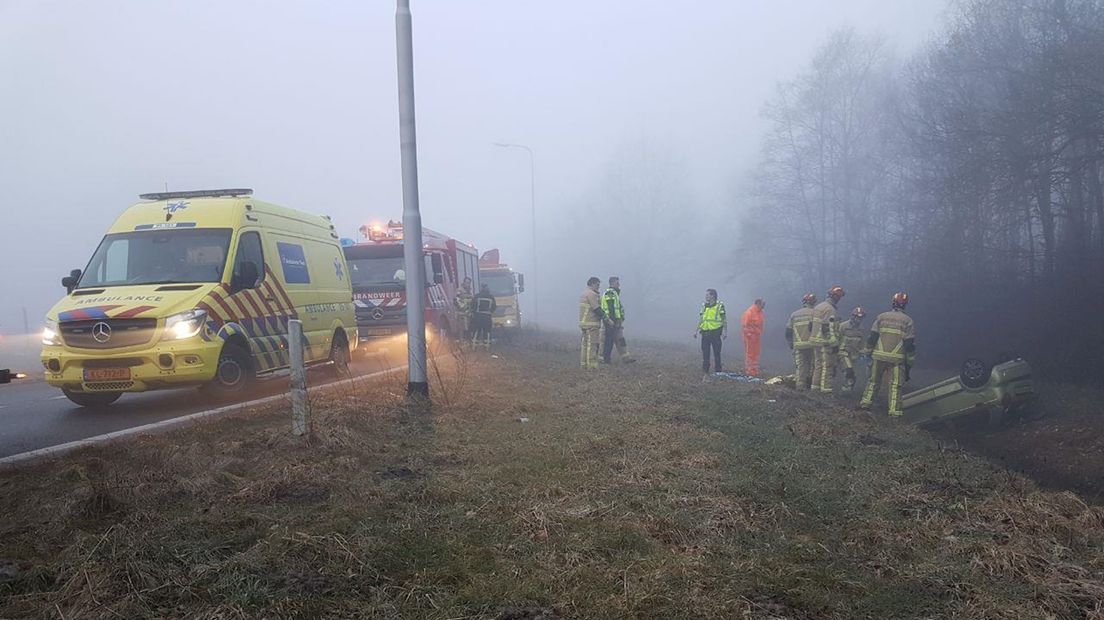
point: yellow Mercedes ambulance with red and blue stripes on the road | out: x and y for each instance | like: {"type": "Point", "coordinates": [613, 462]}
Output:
{"type": "Point", "coordinates": [197, 288]}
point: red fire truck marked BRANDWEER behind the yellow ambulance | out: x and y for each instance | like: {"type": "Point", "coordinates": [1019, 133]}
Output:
{"type": "Point", "coordinates": [379, 281]}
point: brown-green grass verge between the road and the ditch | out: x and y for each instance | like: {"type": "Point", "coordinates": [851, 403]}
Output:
{"type": "Point", "coordinates": [633, 491]}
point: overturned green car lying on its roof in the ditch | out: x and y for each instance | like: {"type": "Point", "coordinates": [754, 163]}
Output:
{"type": "Point", "coordinates": [980, 389]}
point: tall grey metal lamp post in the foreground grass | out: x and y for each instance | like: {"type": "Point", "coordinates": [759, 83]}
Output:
{"type": "Point", "coordinates": [418, 383]}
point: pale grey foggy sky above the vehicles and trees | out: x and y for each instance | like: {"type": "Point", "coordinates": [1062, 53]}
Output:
{"type": "Point", "coordinates": [104, 101]}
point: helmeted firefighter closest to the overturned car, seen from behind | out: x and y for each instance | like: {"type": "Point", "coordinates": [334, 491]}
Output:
{"type": "Point", "coordinates": [893, 343]}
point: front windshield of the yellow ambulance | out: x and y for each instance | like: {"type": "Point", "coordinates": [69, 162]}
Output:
{"type": "Point", "coordinates": [157, 258]}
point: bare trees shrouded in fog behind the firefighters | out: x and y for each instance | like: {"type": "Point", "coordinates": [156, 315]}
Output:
{"type": "Point", "coordinates": [969, 175]}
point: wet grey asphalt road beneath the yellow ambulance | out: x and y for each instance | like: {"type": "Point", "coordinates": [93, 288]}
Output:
{"type": "Point", "coordinates": [35, 415]}
